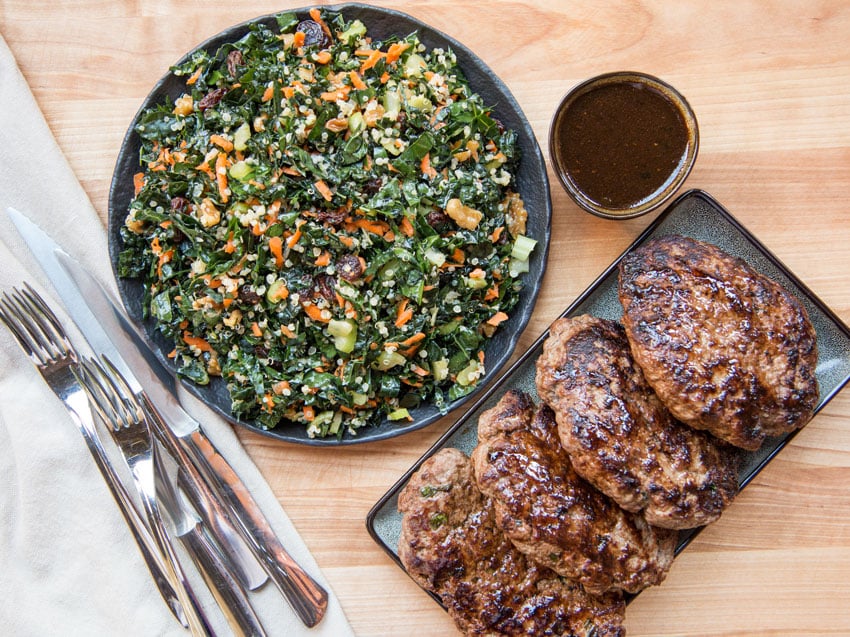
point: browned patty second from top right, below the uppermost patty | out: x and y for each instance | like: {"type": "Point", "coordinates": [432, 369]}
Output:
{"type": "Point", "coordinates": [619, 436]}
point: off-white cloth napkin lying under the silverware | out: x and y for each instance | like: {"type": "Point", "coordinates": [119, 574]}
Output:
{"type": "Point", "coordinates": [68, 564]}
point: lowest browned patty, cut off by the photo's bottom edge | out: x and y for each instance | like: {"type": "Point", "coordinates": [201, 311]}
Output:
{"type": "Point", "coordinates": [450, 545]}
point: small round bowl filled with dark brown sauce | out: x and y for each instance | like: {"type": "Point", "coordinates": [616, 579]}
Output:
{"type": "Point", "coordinates": [623, 143]}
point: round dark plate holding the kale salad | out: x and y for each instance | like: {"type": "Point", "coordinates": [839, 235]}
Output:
{"type": "Point", "coordinates": [532, 182]}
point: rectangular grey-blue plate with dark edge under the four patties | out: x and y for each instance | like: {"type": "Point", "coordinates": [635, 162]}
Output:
{"type": "Point", "coordinates": [694, 214]}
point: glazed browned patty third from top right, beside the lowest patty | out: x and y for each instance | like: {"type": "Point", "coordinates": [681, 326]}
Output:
{"type": "Point", "coordinates": [551, 514]}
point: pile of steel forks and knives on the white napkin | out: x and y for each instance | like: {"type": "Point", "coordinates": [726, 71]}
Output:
{"type": "Point", "coordinates": [184, 504]}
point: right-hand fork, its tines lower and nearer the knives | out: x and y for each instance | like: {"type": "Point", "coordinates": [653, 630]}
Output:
{"type": "Point", "coordinates": [109, 396]}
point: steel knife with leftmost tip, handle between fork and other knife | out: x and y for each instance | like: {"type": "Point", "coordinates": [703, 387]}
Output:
{"type": "Point", "coordinates": [242, 561]}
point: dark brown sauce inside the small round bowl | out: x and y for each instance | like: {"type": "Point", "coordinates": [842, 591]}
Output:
{"type": "Point", "coordinates": [620, 143]}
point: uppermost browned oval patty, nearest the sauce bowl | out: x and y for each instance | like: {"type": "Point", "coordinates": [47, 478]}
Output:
{"type": "Point", "coordinates": [725, 348]}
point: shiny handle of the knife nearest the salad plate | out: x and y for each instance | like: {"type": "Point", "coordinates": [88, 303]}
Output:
{"type": "Point", "coordinates": [307, 598]}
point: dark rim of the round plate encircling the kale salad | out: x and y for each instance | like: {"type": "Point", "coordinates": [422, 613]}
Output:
{"type": "Point", "coordinates": [295, 433]}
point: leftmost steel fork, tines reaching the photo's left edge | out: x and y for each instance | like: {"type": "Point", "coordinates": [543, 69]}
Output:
{"type": "Point", "coordinates": [41, 336]}
